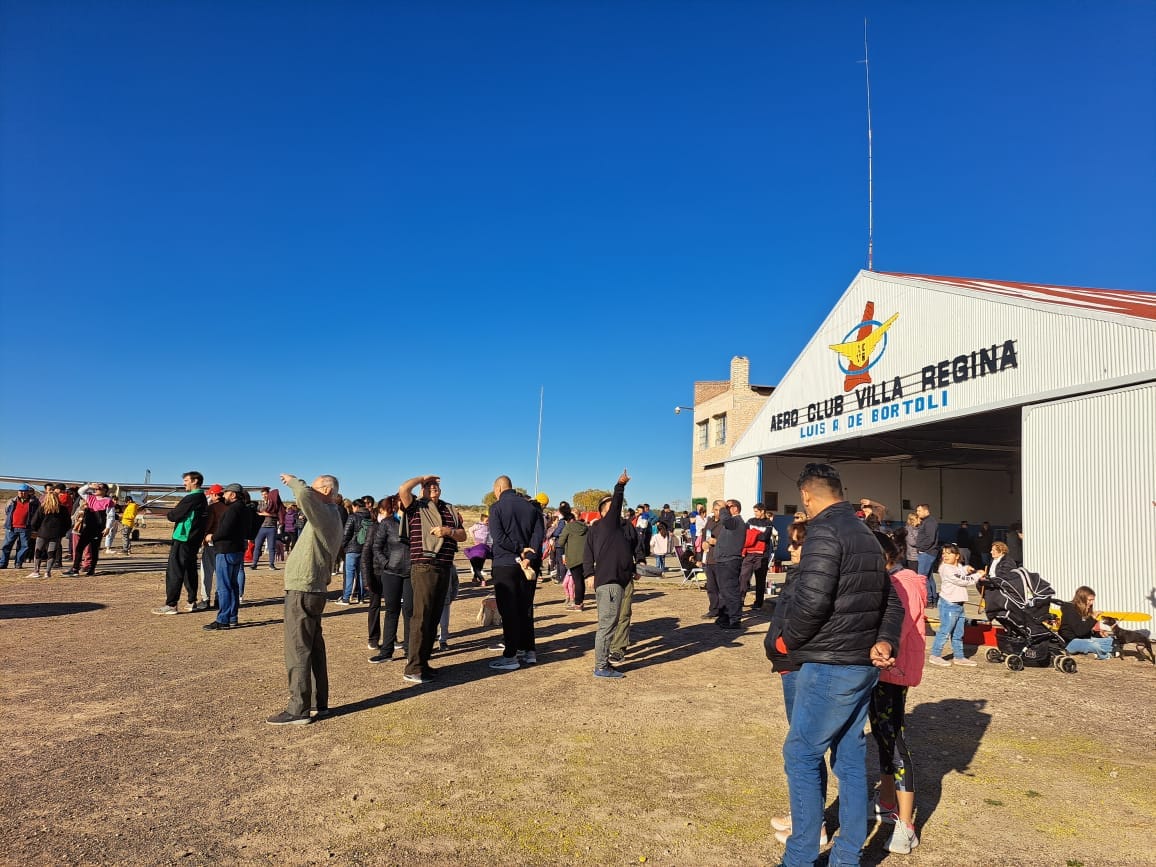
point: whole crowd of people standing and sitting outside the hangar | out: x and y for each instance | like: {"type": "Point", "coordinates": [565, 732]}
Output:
{"type": "Point", "coordinates": [847, 633]}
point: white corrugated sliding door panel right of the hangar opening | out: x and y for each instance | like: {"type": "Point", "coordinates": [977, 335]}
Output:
{"type": "Point", "coordinates": [1090, 481]}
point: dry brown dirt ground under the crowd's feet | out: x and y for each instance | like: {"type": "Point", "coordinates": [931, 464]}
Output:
{"type": "Point", "coordinates": [137, 739]}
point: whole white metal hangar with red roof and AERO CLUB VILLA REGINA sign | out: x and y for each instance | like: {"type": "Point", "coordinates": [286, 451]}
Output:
{"type": "Point", "coordinates": [991, 402]}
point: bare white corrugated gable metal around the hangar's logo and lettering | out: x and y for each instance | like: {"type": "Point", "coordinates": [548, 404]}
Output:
{"type": "Point", "coordinates": [1062, 351]}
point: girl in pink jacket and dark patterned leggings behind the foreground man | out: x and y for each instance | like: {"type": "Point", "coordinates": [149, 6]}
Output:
{"type": "Point", "coordinates": [895, 802]}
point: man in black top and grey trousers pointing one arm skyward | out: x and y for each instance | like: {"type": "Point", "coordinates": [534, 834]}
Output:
{"type": "Point", "coordinates": [611, 559]}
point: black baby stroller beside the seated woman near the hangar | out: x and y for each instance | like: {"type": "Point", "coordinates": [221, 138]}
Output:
{"type": "Point", "coordinates": [1019, 602]}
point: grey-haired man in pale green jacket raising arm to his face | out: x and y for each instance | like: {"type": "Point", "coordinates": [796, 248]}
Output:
{"type": "Point", "coordinates": [308, 574]}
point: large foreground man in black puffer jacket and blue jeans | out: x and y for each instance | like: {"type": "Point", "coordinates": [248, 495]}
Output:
{"type": "Point", "coordinates": [843, 627]}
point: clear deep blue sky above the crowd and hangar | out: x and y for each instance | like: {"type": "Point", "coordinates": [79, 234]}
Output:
{"type": "Point", "coordinates": [358, 238]}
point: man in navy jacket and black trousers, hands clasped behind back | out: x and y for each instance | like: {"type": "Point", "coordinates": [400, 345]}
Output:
{"type": "Point", "coordinates": [517, 531]}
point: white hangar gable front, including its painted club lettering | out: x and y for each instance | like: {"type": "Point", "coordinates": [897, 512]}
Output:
{"type": "Point", "coordinates": [952, 352]}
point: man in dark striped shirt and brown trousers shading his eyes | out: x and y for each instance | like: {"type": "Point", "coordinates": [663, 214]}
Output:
{"type": "Point", "coordinates": [434, 535]}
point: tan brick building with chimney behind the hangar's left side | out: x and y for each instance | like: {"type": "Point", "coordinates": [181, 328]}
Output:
{"type": "Point", "coordinates": [724, 410]}
